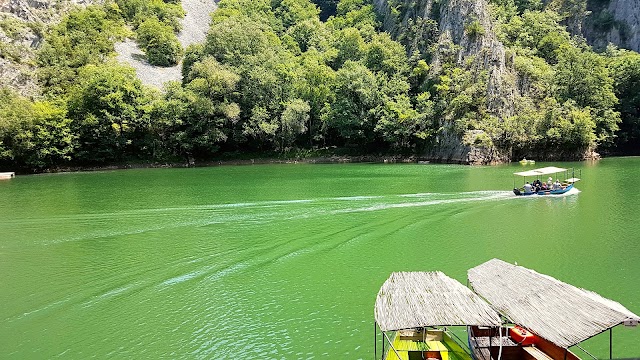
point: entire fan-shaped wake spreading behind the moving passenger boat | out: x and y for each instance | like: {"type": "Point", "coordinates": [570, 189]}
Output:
{"type": "Point", "coordinates": [217, 245]}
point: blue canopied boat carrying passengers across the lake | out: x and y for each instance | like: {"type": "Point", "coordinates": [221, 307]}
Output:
{"type": "Point", "coordinates": [535, 182]}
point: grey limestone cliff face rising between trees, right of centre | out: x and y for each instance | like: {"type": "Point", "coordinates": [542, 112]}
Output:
{"type": "Point", "coordinates": [477, 51]}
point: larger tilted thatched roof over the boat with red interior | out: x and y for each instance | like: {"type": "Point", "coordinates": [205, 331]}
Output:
{"type": "Point", "coordinates": [559, 312]}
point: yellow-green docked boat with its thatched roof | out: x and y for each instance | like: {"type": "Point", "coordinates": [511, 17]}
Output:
{"type": "Point", "coordinates": [414, 310]}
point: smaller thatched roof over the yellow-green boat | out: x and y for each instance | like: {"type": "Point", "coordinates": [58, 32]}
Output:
{"type": "Point", "coordinates": [419, 299]}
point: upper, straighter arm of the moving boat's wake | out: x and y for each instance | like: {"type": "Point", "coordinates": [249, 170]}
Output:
{"type": "Point", "coordinates": [138, 222]}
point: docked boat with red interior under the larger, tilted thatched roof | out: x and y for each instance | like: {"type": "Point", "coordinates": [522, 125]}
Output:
{"type": "Point", "coordinates": [547, 317]}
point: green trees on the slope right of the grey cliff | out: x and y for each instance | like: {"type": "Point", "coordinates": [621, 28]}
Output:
{"type": "Point", "coordinates": [562, 69]}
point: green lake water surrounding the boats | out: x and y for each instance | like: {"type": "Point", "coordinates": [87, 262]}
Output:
{"type": "Point", "coordinates": [284, 261]}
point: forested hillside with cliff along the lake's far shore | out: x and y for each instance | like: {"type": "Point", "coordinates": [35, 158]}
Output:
{"type": "Point", "coordinates": [453, 80]}
